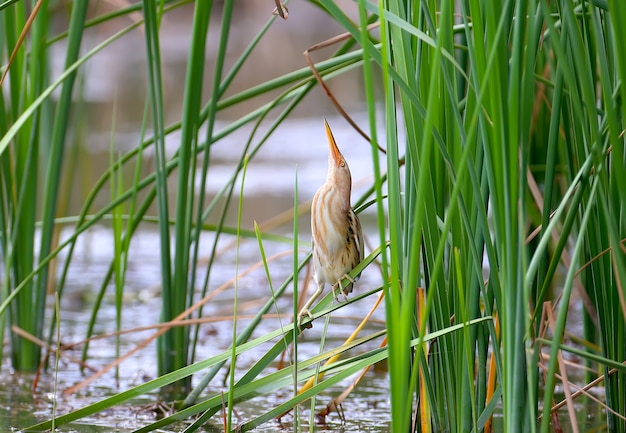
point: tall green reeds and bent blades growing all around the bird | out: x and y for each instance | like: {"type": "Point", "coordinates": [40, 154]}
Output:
{"type": "Point", "coordinates": [504, 200]}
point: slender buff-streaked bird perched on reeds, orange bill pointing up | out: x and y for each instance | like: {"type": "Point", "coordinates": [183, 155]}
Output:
{"type": "Point", "coordinates": [335, 229]}
